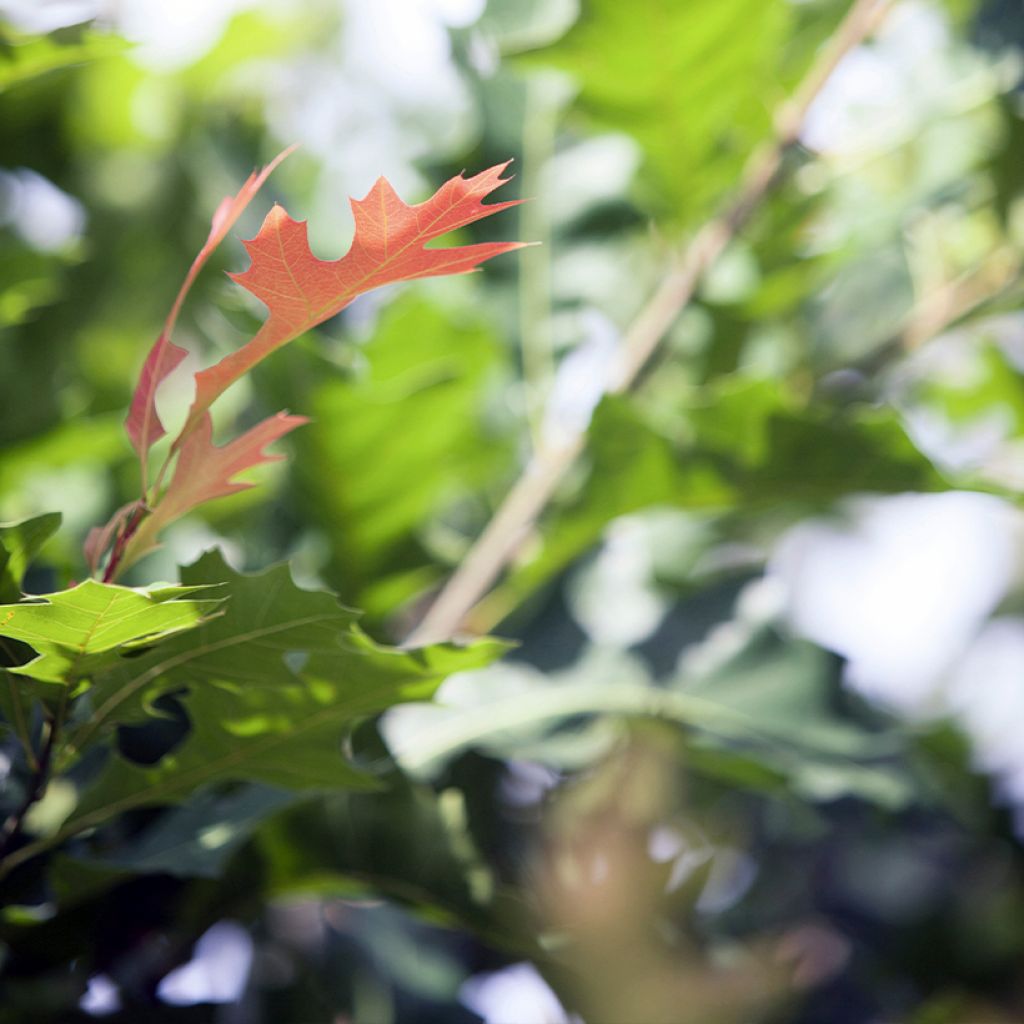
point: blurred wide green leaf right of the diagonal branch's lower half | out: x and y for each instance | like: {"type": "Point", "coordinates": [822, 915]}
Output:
{"type": "Point", "coordinates": [741, 445]}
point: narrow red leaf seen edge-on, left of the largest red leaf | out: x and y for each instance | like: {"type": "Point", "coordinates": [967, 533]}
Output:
{"type": "Point", "coordinates": [144, 425]}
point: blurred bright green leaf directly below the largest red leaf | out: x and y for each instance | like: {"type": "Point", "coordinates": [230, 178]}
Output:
{"type": "Point", "coordinates": [389, 447]}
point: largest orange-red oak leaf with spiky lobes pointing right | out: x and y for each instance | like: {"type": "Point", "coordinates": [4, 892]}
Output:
{"type": "Point", "coordinates": [302, 291]}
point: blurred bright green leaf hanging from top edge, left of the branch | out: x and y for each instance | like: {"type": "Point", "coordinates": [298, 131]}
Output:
{"type": "Point", "coordinates": [695, 83]}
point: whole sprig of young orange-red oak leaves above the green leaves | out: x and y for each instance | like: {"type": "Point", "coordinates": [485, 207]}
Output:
{"type": "Point", "coordinates": [300, 291]}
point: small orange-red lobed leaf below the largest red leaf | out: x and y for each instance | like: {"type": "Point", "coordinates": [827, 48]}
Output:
{"type": "Point", "coordinates": [206, 472]}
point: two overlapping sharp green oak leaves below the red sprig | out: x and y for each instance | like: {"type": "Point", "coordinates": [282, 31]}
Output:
{"type": "Point", "coordinates": [271, 688]}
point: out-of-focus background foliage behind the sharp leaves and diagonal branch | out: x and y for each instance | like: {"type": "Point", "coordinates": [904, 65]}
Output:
{"type": "Point", "coordinates": [757, 756]}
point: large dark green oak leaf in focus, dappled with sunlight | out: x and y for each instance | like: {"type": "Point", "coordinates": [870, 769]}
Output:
{"type": "Point", "coordinates": [273, 688]}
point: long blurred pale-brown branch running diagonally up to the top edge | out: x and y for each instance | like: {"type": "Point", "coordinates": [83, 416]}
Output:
{"type": "Point", "coordinates": [531, 494]}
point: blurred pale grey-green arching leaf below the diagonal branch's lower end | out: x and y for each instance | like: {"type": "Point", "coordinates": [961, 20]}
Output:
{"type": "Point", "coordinates": [766, 712]}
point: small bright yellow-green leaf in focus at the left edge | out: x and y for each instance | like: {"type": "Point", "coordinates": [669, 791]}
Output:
{"type": "Point", "coordinates": [76, 632]}
